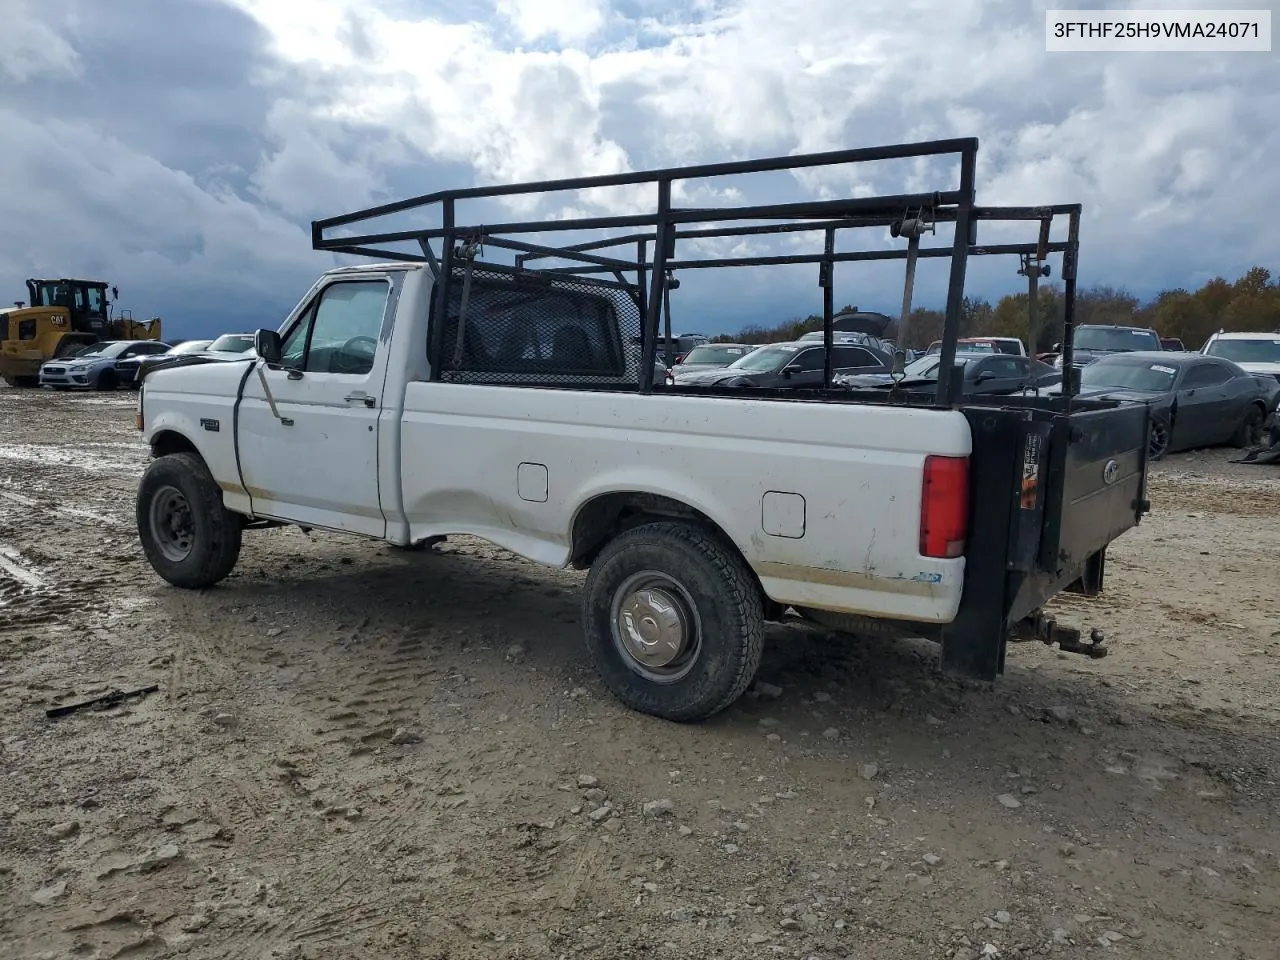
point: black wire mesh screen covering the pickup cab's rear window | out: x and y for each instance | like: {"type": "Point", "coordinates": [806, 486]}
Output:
{"type": "Point", "coordinates": [537, 330]}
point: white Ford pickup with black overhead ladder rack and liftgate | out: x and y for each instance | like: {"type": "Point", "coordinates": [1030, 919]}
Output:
{"type": "Point", "coordinates": [441, 392]}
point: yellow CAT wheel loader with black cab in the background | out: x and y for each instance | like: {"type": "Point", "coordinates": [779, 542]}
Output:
{"type": "Point", "coordinates": [63, 317]}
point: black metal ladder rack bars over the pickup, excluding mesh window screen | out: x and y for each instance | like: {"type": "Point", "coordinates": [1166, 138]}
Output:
{"type": "Point", "coordinates": [646, 275]}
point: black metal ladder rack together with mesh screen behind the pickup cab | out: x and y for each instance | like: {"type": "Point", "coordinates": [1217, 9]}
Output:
{"type": "Point", "coordinates": [630, 269]}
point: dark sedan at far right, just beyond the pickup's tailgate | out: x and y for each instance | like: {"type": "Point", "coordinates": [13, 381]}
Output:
{"type": "Point", "coordinates": [1196, 401]}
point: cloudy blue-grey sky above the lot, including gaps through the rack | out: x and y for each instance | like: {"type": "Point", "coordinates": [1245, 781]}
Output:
{"type": "Point", "coordinates": [181, 148]}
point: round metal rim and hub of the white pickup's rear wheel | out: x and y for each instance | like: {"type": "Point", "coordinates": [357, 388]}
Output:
{"type": "Point", "coordinates": [656, 628]}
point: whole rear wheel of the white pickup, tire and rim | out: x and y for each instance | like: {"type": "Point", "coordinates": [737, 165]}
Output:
{"type": "Point", "coordinates": [674, 621]}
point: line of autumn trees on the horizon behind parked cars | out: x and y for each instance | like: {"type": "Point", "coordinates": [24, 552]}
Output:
{"type": "Point", "coordinates": [1251, 304]}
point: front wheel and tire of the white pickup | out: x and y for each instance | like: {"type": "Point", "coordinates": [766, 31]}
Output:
{"type": "Point", "coordinates": [189, 537]}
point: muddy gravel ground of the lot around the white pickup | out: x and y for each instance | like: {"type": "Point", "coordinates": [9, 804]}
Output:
{"type": "Point", "coordinates": [356, 752]}
